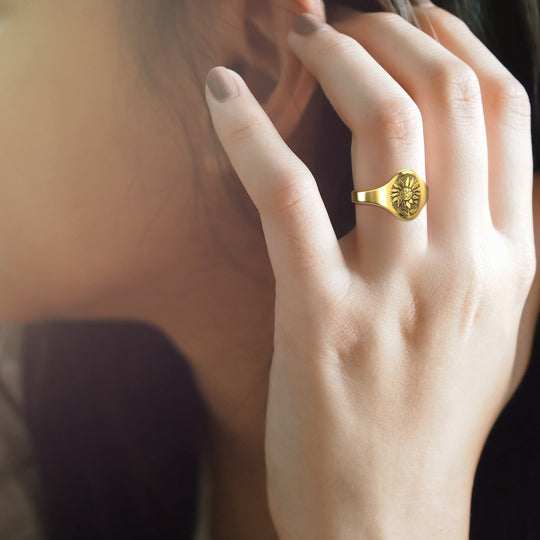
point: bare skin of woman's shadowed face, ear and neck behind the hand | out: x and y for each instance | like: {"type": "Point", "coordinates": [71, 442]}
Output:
{"type": "Point", "coordinates": [108, 227]}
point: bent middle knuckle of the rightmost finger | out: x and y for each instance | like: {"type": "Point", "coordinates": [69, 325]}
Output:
{"type": "Point", "coordinates": [507, 96]}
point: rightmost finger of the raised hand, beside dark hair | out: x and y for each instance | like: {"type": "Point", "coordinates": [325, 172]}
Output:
{"type": "Point", "coordinates": [507, 112]}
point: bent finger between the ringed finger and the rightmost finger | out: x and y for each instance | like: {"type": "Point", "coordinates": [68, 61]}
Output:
{"type": "Point", "coordinates": [447, 93]}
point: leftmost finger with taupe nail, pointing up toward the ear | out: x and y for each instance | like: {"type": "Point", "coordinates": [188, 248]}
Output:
{"type": "Point", "coordinates": [301, 242]}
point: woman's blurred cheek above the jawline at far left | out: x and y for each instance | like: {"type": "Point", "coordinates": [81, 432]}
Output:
{"type": "Point", "coordinates": [88, 220]}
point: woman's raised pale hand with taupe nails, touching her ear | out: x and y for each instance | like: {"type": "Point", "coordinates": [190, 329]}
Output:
{"type": "Point", "coordinates": [394, 346]}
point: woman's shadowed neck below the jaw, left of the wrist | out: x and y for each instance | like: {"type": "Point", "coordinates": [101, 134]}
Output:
{"type": "Point", "coordinates": [227, 336]}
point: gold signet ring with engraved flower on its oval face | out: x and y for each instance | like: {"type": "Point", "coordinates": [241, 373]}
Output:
{"type": "Point", "coordinates": [404, 195]}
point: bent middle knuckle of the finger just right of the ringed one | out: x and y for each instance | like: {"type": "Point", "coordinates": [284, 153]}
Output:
{"type": "Point", "coordinates": [458, 86]}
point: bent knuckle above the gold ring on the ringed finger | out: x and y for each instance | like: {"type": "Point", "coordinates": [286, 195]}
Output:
{"type": "Point", "coordinates": [400, 119]}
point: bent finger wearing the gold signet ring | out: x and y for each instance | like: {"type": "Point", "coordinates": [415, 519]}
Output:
{"type": "Point", "coordinates": [387, 134]}
